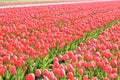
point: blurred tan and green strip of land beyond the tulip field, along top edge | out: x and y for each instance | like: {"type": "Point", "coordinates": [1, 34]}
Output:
{"type": "Point", "coordinates": [16, 2]}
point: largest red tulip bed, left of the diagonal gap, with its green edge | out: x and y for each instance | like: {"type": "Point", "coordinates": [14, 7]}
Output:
{"type": "Point", "coordinates": [28, 34]}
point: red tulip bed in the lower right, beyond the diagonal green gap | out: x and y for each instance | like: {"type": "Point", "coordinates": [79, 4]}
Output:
{"type": "Point", "coordinates": [96, 59]}
